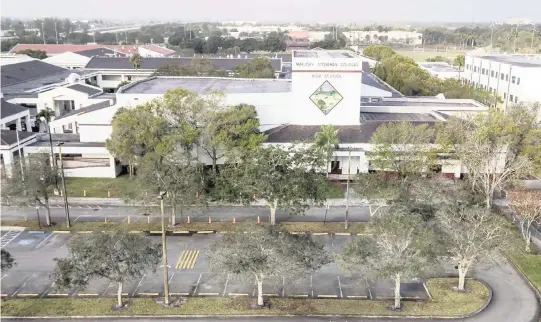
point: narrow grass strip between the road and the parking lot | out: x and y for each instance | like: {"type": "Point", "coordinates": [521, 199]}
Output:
{"type": "Point", "coordinates": [315, 227]}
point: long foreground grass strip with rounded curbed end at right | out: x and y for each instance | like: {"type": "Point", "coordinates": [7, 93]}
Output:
{"type": "Point", "coordinates": [445, 303]}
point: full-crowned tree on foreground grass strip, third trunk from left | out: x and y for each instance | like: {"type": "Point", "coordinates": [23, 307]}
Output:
{"type": "Point", "coordinates": [400, 247]}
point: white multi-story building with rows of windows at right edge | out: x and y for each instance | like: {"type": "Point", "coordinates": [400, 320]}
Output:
{"type": "Point", "coordinates": [513, 78]}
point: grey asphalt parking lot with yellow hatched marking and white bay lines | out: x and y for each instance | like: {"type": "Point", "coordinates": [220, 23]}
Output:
{"type": "Point", "coordinates": [188, 273]}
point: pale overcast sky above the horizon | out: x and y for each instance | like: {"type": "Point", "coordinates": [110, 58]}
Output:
{"type": "Point", "coordinates": [339, 11]}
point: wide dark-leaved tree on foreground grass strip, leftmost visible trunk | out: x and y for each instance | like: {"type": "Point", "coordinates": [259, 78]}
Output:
{"type": "Point", "coordinates": [118, 257]}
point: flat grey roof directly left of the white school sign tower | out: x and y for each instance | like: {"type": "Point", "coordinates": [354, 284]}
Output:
{"type": "Point", "coordinates": [201, 85]}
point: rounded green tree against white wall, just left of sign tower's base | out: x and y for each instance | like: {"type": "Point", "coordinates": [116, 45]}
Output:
{"type": "Point", "coordinates": [229, 131]}
